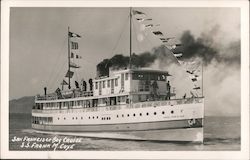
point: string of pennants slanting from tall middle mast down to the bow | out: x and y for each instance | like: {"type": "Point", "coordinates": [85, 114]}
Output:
{"type": "Point", "coordinates": [191, 68]}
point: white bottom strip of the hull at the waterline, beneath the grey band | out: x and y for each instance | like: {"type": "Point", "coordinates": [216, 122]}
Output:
{"type": "Point", "coordinates": [194, 135]}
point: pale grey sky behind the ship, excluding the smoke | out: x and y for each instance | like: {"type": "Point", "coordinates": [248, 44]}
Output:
{"type": "Point", "coordinates": [38, 44]}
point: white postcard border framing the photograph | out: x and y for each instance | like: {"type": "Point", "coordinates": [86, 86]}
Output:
{"type": "Point", "coordinates": [243, 154]}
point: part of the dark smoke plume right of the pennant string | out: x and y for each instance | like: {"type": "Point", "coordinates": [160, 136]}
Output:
{"type": "Point", "coordinates": [208, 49]}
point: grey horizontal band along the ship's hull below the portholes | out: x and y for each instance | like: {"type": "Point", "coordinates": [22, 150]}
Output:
{"type": "Point", "coordinates": [138, 126]}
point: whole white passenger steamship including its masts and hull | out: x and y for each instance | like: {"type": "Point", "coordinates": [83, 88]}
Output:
{"type": "Point", "coordinates": [132, 103]}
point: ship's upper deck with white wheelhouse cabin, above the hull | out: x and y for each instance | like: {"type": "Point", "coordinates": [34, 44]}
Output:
{"type": "Point", "coordinates": [139, 82]}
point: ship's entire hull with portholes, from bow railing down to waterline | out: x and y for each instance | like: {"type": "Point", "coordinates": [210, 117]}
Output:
{"type": "Point", "coordinates": [157, 121]}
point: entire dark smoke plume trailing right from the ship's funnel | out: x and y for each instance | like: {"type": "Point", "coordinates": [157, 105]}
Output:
{"type": "Point", "coordinates": [206, 47]}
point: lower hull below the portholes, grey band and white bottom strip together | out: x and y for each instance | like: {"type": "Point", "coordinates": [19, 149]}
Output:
{"type": "Point", "coordinates": [156, 131]}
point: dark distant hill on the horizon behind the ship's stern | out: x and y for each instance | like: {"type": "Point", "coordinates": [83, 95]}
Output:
{"type": "Point", "coordinates": [21, 105]}
